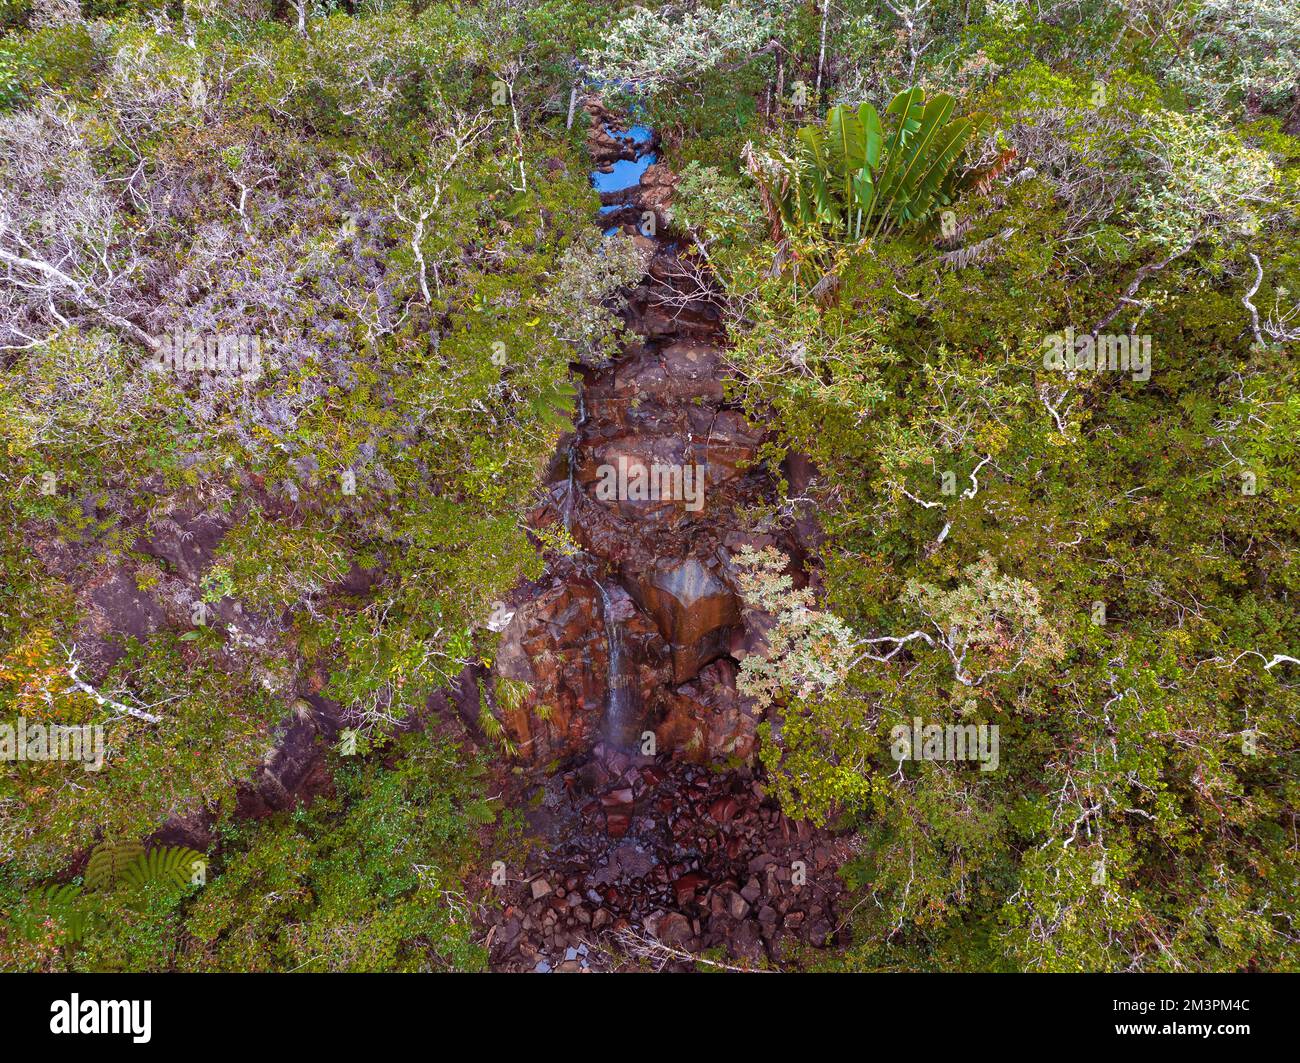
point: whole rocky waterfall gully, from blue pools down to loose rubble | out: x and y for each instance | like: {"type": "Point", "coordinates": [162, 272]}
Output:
{"type": "Point", "coordinates": [649, 822]}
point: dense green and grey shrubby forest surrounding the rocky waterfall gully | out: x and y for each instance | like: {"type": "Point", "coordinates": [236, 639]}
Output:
{"type": "Point", "coordinates": [1100, 562]}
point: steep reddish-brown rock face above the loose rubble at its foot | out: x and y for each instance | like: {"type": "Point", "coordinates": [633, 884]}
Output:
{"type": "Point", "coordinates": [664, 557]}
